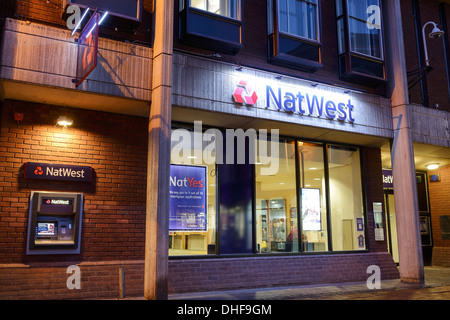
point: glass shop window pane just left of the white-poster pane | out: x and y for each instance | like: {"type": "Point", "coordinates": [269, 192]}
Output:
{"type": "Point", "coordinates": [276, 202]}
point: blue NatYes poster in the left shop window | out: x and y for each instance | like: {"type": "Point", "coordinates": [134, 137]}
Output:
{"type": "Point", "coordinates": [187, 210]}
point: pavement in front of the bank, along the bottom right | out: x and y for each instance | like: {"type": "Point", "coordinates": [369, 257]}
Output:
{"type": "Point", "coordinates": [436, 287]}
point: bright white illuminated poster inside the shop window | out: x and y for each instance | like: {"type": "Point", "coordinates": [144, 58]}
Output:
{"type": "Point", "coordinates": [311, 210]}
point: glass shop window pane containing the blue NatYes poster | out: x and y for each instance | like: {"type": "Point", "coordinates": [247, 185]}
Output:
{"type": "Point", "coordinates": [192, 210]}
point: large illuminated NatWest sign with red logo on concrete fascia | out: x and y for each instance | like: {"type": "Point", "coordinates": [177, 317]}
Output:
{"type": "Point", "coordinates": [301, 100]}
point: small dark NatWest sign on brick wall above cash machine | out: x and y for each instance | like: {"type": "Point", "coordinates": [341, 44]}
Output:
{"type": "Point", "coordinates": [49, 171]}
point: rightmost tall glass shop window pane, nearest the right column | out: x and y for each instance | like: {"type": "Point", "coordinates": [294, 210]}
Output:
{"type": "Point", "coordinates": [346, 202]}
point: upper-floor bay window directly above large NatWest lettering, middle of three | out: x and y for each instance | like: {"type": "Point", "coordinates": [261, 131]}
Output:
{"type": "Point", "coordinates": [294, 33]}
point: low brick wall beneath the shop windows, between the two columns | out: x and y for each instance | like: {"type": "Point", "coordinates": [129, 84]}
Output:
{"type": "Point", "coordinates": [196, 275]}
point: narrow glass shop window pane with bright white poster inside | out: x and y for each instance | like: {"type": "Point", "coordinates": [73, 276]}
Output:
{"type": "Point", "coordinates": [313, 197]}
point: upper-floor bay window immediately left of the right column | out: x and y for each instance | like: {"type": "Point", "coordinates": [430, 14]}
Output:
{"type": "Point", "coordinates": [360, 41]}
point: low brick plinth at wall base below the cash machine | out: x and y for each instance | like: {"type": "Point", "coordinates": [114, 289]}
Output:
{"type": "Point", "coordinates": [49, 281]}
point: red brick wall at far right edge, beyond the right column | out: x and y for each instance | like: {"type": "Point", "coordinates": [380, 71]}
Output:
{"type": "Point", "coordinates": [439, 205]}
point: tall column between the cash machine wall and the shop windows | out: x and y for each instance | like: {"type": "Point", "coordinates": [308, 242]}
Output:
{"type": "Point", "coordinates": [157, 216]}
